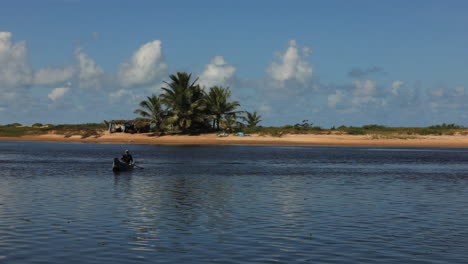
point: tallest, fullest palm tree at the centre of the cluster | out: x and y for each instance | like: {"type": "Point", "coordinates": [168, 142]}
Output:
{"type": "Point", "coordinates": [185, 100]}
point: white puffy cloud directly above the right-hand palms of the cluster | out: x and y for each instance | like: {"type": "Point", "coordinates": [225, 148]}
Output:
{"type": "Point", "coordinates": [217, 72]}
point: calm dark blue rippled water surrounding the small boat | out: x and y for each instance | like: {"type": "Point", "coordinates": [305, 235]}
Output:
{"type": "Point", "coordinates": [61, 203]}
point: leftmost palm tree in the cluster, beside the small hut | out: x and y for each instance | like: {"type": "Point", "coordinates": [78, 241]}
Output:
{"type": "Point", "coordinates": [152, 110]}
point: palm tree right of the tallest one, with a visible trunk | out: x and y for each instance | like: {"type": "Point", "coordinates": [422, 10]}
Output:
{"type": "Point", "coordinates": [218, 105]}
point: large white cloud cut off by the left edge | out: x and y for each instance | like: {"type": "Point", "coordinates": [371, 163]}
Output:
{"type": "Point", "coordinates": [15, 70]}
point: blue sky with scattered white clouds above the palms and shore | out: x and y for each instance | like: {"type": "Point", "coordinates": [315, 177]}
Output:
{"type": "Point", "coordinates": [331, 62]}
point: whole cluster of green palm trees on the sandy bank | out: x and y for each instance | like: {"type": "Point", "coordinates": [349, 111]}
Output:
{"type": "Point", "coordinates": [185, 106]}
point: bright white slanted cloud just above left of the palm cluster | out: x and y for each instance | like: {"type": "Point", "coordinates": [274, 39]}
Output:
{"type": "Point", "coordinates": [145, 66]}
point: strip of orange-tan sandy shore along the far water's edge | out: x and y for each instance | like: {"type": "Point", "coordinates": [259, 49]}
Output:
{"type": "Point", "coordinates": [455, 141]}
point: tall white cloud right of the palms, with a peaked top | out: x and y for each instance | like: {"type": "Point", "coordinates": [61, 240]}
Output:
{"type": "Point", "coordinates": [292, 65]}
